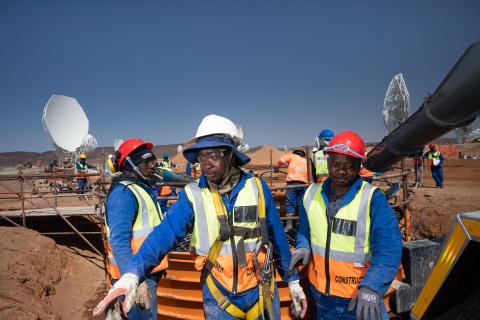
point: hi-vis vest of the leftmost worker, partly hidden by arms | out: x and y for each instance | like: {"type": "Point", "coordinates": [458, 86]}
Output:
{"type": "Point", "coordinates": [148, 216]}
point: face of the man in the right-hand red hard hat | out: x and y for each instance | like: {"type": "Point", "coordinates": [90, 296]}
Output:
{"type": "Point", "coordinates": [342, 169]}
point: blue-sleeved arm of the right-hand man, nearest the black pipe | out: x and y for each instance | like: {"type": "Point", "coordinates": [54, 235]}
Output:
{"type": "Point", "coordinates": [385, 245]}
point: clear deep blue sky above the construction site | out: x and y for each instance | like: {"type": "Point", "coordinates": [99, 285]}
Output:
{"type": "Point", "coordinates": [284, 70]}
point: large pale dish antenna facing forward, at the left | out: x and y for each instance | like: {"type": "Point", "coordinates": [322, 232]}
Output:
{"type": "Point", "coordinates": [66, 125]}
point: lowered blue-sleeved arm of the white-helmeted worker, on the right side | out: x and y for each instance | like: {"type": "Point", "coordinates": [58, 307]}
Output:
{"type": "Point", "coordinates": [276, 235]}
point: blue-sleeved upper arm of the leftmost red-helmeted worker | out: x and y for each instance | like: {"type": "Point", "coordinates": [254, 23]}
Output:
{"type": "Point", "coordinates": [121, 210]}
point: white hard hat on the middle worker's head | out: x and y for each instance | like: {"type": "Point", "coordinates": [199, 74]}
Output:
{"type": "Point", "coordinates": [213, 124]}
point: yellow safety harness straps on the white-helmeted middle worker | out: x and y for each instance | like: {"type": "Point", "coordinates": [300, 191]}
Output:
{"type": "Point", "coordinates": [228, 231]}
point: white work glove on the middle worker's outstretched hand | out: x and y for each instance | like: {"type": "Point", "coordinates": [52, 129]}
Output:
{"type": "Point", "coordinates": [125, 286]}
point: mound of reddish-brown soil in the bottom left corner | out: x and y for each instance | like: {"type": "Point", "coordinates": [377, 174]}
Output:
{"type": "Point", "coordinates": [42, 280]}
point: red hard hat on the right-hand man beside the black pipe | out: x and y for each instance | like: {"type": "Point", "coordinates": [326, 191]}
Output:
{"type": "Point", "coordinates": [349, 143]}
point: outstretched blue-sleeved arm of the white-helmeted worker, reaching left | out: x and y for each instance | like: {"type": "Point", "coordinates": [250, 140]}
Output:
{"type": "Point", "coordinates": [174, 227]}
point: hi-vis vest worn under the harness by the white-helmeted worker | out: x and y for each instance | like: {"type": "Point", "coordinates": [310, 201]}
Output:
{"type": "Point", "coordinates": [233, 268]}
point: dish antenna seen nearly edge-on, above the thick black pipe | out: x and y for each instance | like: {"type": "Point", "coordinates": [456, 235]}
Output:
{"type": "Point", "coordinates": [396, 107]}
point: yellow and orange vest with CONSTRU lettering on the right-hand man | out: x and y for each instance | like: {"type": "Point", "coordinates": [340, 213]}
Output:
{"type": "Point", "coordinates": [340, 246]}
